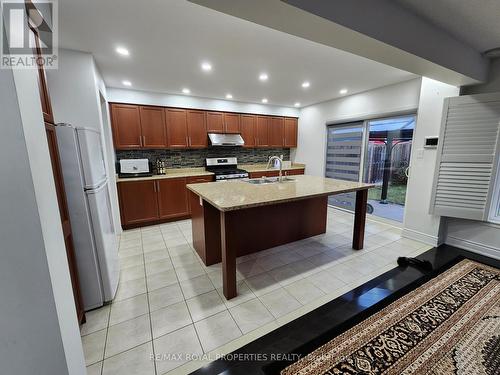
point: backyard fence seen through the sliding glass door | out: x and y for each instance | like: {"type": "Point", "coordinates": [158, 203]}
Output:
{"type": "Point", "coordinates": [400, 160]}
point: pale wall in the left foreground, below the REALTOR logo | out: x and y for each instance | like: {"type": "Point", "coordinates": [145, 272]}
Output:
{"type": "Point", "coordinates": [40, 333]}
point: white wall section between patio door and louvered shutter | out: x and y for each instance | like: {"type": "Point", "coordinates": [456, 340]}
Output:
{"type": "Point", "coordinates": [418, 223]}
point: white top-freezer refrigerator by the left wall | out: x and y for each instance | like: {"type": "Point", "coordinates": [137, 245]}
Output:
{"type": "Point", "coordinates": [94, 237]}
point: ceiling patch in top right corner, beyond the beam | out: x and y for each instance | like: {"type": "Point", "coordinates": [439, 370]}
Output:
{"type": "Point", "coordinates": [475, 22]}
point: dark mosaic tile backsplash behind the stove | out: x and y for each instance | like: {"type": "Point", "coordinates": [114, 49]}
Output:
{"type": "Point", "coordinates": [196, 158]}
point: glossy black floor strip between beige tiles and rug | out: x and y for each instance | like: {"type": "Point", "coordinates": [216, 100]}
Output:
{"type": "Point", "coordinates": [314, 329]}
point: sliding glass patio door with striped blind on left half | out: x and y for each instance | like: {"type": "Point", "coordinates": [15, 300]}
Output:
{"type": "Point", "coordinates": [375, 151]}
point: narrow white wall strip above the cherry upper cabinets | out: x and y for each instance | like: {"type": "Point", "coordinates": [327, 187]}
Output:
{"type": "Point", "coordinates": [185, 101]}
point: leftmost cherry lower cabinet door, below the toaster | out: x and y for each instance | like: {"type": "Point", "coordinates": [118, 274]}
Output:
{"type": "Point", "coordinates": [138, 201]}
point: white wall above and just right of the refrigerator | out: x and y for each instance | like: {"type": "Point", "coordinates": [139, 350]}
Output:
{"type": "Point", "coordinates": [77, 92]}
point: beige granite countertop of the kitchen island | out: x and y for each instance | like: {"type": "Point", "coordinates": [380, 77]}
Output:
{"type": "Point", "coordinates": [237, 194]}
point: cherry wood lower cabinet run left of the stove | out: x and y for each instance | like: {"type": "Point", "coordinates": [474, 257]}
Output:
{"type": "Point", "coordinates": [157, 200]}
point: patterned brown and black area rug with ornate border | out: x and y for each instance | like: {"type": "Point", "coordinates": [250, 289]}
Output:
{"type": "Point", "coordinates": [449, 325]}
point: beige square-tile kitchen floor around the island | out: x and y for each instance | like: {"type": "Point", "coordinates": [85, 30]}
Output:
{"type": "Point", "coordinates": [170, 306]}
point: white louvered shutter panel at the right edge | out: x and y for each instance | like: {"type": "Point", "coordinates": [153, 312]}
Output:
{"type": "Point", "coordinates": [465, 163]}
